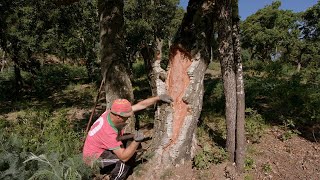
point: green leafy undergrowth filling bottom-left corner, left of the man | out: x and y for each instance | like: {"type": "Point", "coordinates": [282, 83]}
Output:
{"type": "Point", "coordinates": [43, 133]}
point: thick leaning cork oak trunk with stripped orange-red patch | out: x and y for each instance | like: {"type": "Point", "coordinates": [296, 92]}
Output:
{"type": "Point", "coordinates": [174, 137]}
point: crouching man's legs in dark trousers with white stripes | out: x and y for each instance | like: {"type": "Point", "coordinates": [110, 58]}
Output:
{"type": "Point", "coordinates": [120, 171]}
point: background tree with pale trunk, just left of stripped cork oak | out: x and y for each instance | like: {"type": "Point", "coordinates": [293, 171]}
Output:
{"type": "Point", "coordinates": [149, 31]}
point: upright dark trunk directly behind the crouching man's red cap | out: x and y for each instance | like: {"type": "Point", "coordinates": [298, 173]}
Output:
{"type": "Point", "coordinates": [112, 52]}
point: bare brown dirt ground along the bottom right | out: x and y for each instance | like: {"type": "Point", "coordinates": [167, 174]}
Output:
{"type": "Point", "coordinates": [272, 158]}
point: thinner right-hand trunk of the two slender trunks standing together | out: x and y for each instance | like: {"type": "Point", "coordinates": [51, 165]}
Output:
{"type": "Point", "coordinates": [240, 133]}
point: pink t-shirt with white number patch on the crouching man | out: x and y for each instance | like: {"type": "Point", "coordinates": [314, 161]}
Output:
{"type": "Point", "coordinates": [102, 136]}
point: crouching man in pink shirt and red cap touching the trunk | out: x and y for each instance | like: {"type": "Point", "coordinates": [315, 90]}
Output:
{"type": "Point", "coordinates": [101, 144]}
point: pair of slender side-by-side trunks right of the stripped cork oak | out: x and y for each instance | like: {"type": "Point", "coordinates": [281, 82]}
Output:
{"type": "Point", "coordinates": [231, 69]}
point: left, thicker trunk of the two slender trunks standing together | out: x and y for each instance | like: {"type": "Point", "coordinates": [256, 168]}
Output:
{"type": "Point", "coordinates": [228, 72]}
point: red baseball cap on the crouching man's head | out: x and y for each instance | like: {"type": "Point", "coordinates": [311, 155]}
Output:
{"type": "Point", "coordinates": [122, 107]}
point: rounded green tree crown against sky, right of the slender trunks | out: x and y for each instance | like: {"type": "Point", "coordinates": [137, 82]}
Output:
{"type": "Point", "coordinates": [266, 31]}
